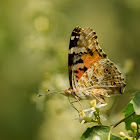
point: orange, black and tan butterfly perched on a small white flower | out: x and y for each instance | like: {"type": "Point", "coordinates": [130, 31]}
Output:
{"type": "Point", "coordinates": [91, 74]}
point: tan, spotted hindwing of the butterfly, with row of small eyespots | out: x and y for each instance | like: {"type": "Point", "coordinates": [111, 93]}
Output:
{"type": "Point", "coordinates": [104, 78]}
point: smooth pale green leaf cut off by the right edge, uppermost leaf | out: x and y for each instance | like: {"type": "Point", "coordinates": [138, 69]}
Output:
{"type": "Point", "coordinates": [136, 103]}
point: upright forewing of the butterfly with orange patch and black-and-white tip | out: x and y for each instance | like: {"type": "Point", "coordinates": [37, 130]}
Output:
{"type": "Point", "coordinates": [83, 52]}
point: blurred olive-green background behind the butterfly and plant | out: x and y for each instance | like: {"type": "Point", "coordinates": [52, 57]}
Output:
{"type": "Point", "coordinates": [34, 40]}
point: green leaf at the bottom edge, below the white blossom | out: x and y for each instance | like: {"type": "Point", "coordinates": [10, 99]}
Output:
{"type": "Point", "coordinates": [100, 131]}
